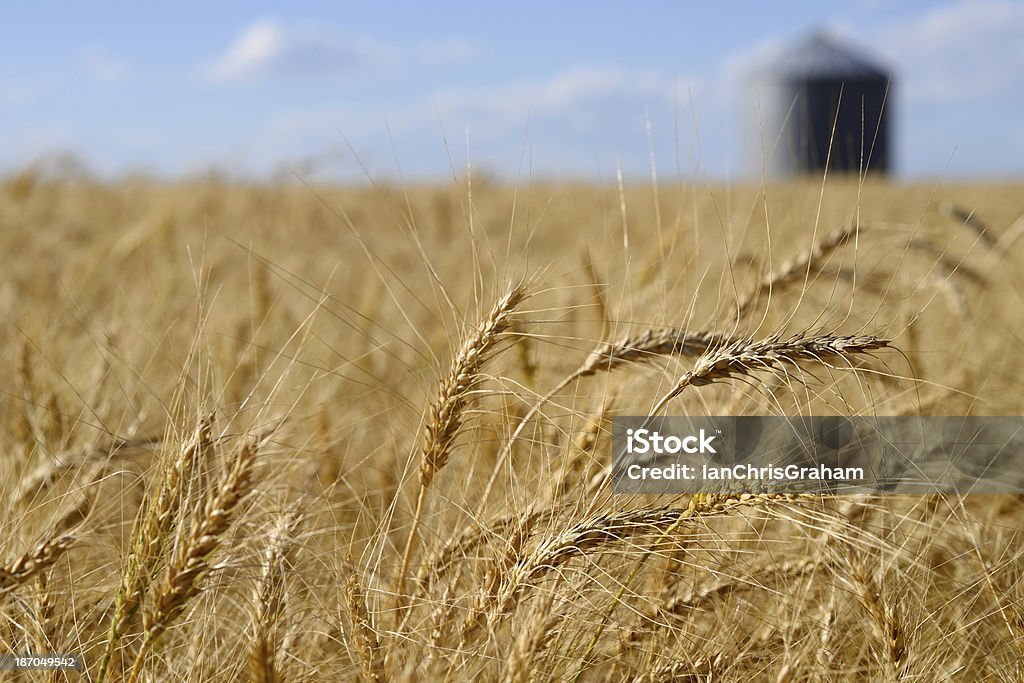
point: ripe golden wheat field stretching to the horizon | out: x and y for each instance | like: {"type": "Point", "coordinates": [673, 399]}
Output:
{"type": "Point", "coordinates": [316, 434]}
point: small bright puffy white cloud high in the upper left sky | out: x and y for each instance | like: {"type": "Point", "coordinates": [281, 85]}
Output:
{"type": "Point", "coordinates": [268, 50]}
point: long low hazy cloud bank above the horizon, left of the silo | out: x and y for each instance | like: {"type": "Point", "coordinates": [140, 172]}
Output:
{"type": "Point", "coordinates": [575, 117]}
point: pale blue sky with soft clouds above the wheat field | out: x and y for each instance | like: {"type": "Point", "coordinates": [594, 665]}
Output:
{"type": "Point", "coordinates": [569, 90]}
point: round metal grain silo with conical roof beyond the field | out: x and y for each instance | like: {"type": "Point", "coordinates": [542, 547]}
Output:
{"type": "Point", "coordinates": [823, 101]}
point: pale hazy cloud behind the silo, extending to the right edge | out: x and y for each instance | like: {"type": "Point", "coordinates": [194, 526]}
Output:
{"type": "Point", "coordinates": [959, 76]}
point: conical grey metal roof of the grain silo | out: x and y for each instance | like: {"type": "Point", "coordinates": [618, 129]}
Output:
{"type": "Point", "coordinates": [823, 56]}
